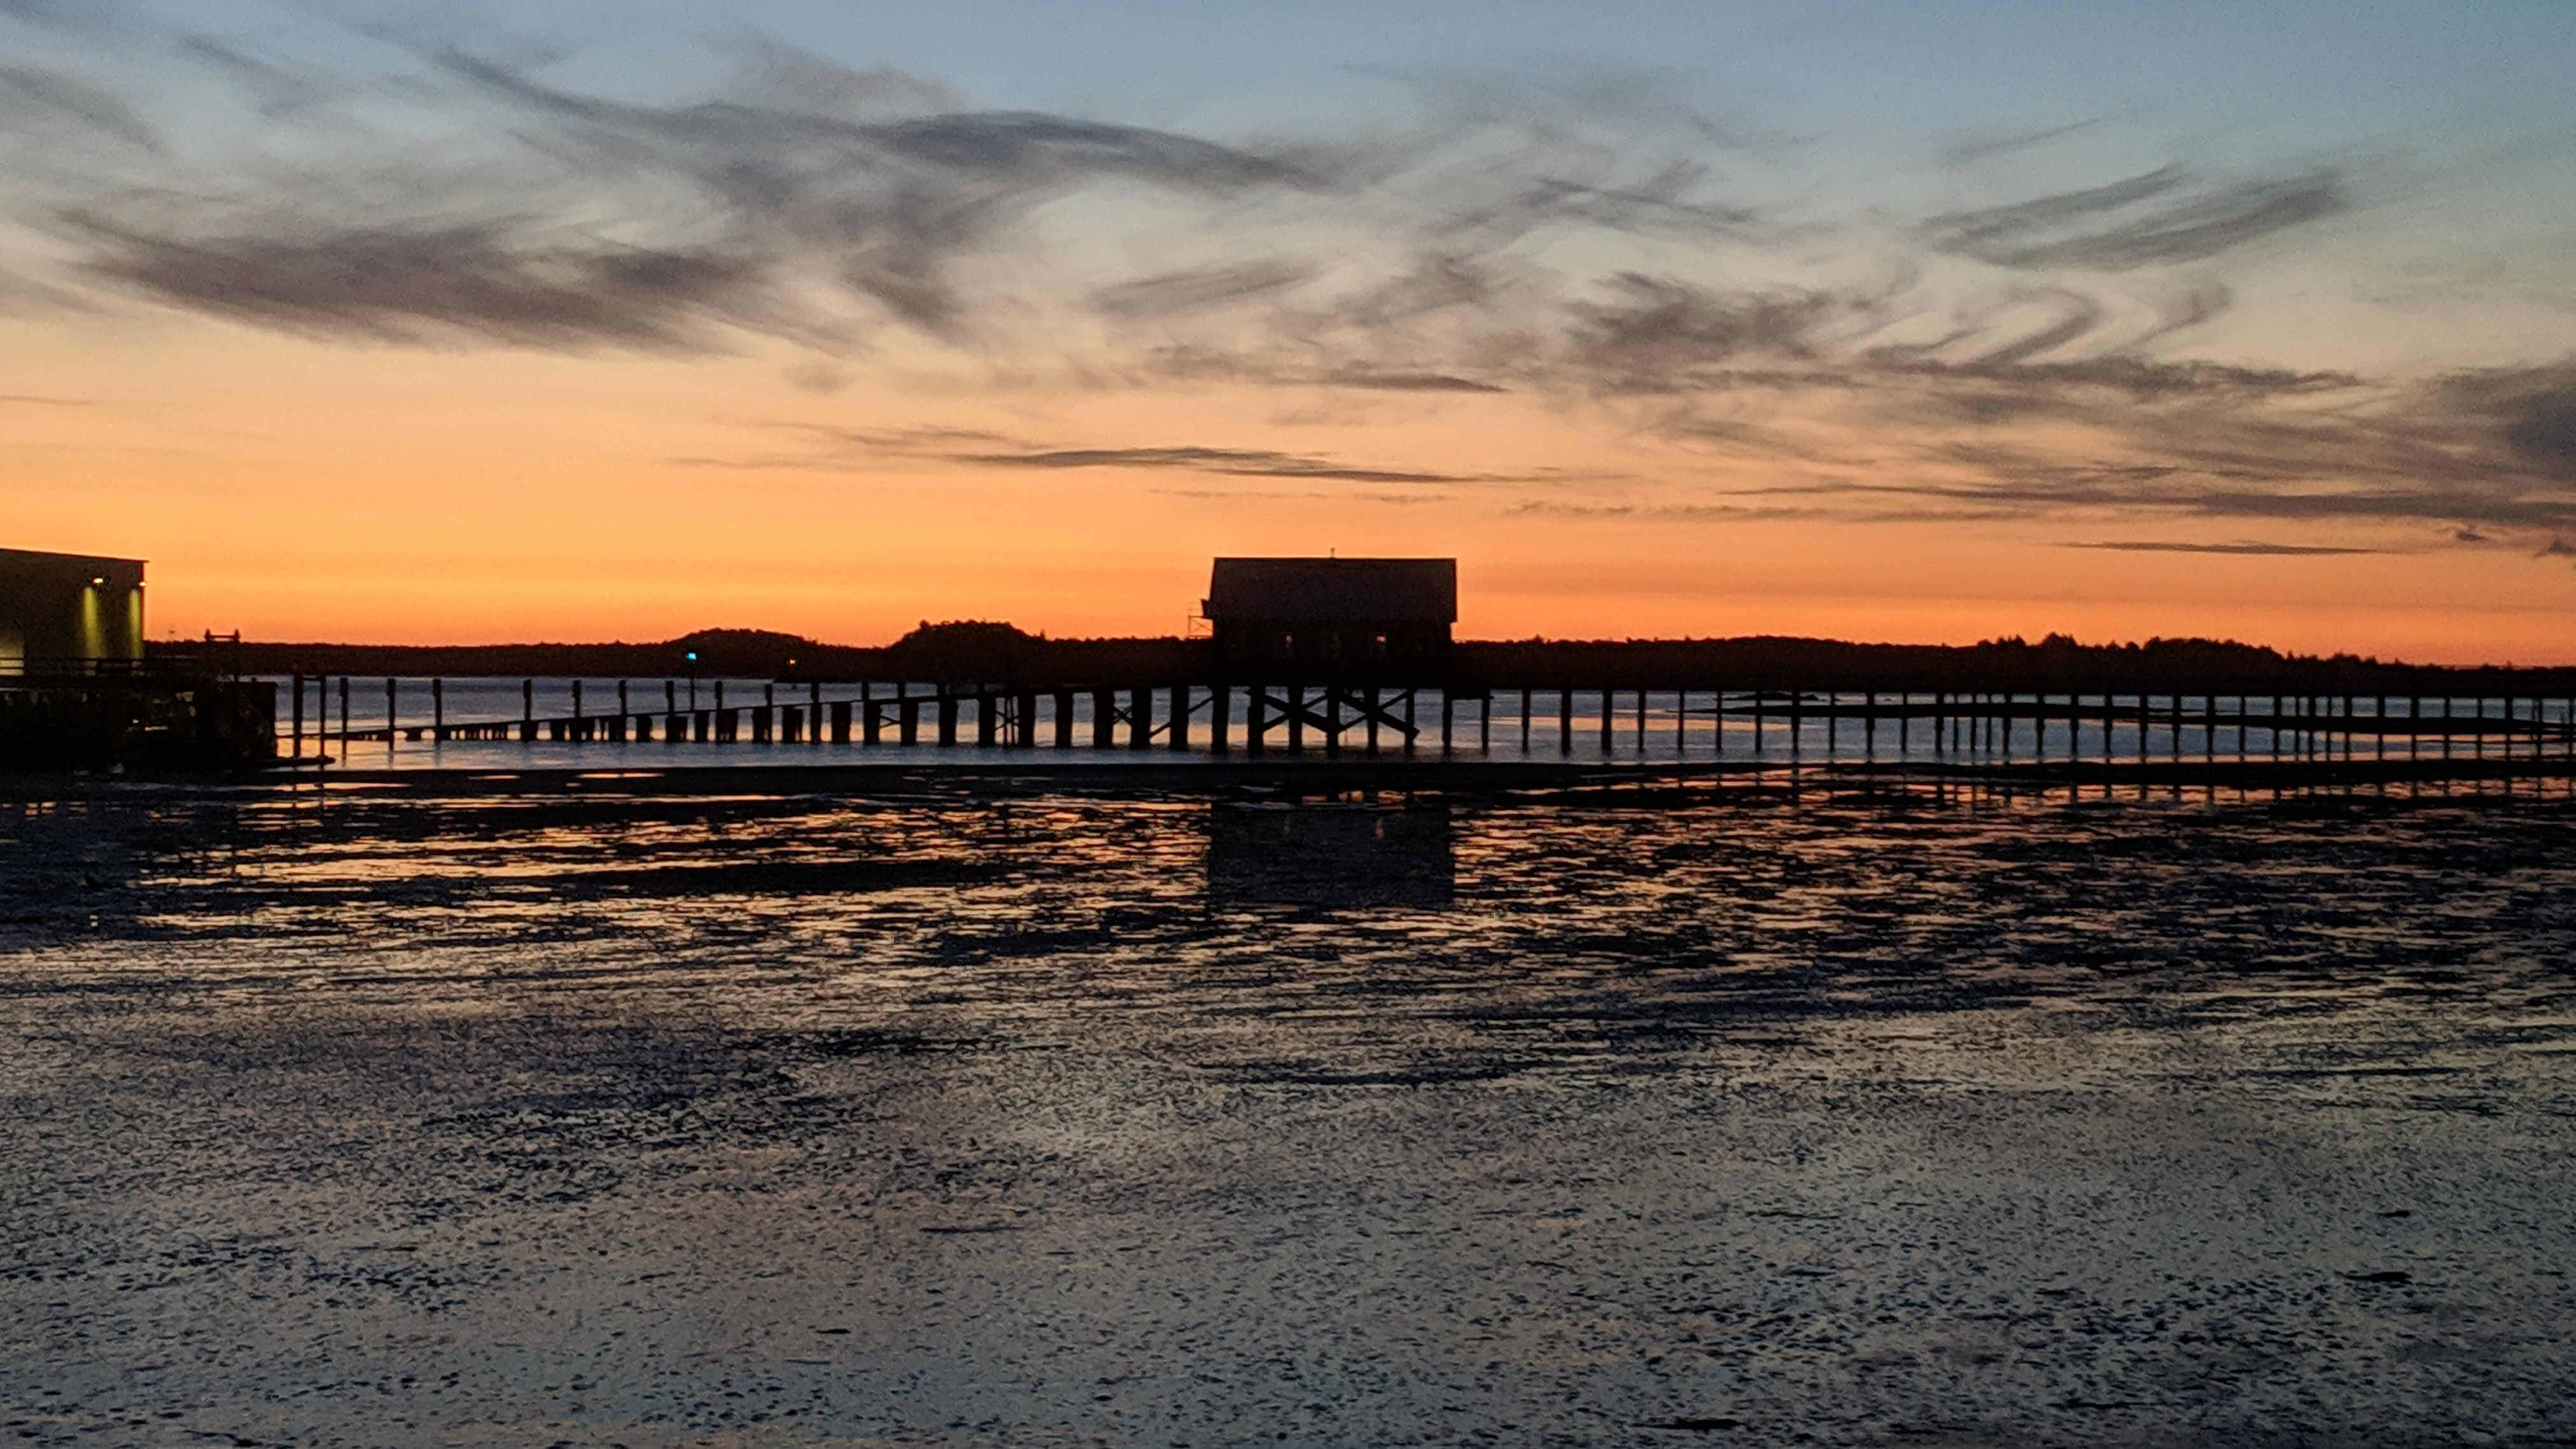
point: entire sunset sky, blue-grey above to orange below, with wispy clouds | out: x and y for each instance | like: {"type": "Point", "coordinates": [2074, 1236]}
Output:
{"type": "Point", "coordinates": [462, 324]}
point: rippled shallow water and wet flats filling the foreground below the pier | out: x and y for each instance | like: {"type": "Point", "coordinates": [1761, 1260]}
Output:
{"type": "Point", "coordinates": [1166, 1120]}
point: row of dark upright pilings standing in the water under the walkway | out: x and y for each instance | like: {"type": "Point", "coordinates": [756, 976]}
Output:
{"type": "Point", "coordinates": [1985, 726]}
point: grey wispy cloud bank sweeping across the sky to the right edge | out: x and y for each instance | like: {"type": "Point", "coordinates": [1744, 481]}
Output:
{"type": "Point", "coordinates": [1588, 246]}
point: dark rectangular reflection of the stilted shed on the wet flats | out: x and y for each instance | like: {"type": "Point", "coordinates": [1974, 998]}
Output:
{"type": "Point", "coordinates": [1331, 855]}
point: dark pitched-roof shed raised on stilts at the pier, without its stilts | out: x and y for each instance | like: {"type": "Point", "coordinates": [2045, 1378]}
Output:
{"type": "Point", "coordinates": [1333, 615]}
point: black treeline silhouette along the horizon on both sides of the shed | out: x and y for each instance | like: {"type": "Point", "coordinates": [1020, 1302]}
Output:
{"type": "Point", "coordinates": [1001, 654]}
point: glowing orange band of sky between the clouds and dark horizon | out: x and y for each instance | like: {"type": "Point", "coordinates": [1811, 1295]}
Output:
{"type": "Point", "coordinates": [491, 496]}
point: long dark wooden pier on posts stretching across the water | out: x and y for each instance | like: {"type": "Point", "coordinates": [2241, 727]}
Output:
{"type": "Point", "coordinates": [1387, 718]}
